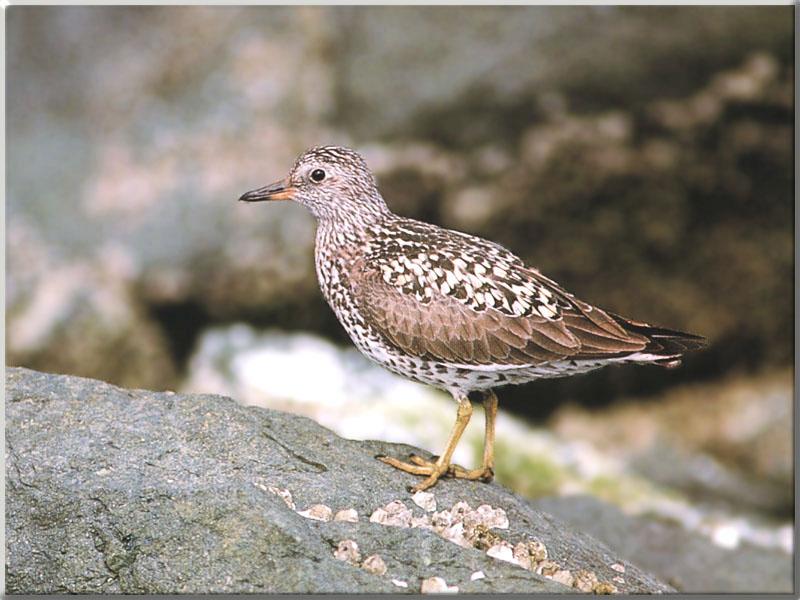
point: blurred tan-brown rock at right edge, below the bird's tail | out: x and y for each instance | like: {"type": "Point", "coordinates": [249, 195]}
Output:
{"type": "Point", "coordinates": [727, 441]}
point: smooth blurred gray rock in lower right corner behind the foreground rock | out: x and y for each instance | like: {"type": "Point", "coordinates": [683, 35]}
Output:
{"type": "Point", "coordinates": [688, 561]}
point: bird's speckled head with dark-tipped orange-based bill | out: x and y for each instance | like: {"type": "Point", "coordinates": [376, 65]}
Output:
{"type": "Point", "coordinates": [333, 182]}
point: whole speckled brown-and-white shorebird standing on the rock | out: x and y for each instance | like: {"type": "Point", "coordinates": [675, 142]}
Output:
{"type": "Point", "coordinates": [449, 309]}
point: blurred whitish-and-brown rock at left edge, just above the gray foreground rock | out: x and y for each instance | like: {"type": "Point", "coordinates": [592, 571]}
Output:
{"type": "Point", "coordinates": [80, 317]}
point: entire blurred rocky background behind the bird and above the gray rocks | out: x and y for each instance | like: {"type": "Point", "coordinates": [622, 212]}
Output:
{"type": "Point", "coordinates": [642, 156]}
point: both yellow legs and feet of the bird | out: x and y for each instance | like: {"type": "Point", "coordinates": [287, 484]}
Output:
{"type": "Point", "coordinates": [441, 466]}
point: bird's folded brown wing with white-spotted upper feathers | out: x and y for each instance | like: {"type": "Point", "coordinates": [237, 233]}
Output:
{"type": "Point", "coordinates": [470, 307]}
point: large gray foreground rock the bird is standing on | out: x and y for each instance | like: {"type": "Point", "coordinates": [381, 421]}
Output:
{"type": "Point", "coordinates": [114, 490]}
